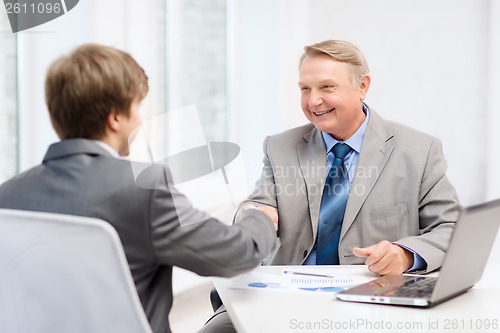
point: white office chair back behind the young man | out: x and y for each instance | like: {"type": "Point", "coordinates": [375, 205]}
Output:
{"type": "Point", "coordinates": [62, 273]}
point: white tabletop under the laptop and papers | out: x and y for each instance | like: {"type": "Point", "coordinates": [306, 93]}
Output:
{"type": "Point", "coordinates": [266, 311]}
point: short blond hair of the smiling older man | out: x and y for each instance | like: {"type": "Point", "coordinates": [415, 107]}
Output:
{"type": "Point", "coordinates": [341, 51]}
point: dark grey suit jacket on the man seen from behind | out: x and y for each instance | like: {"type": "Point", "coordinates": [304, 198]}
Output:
{"type": "Point", "coordinates": [79, 177]}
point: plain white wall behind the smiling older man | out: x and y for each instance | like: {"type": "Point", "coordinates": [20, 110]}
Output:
{"type": "Point", "coordinates": [433, 66]}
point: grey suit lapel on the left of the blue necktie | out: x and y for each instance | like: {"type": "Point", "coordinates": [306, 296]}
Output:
{"type": "Point", "coordinates": [312, 162]}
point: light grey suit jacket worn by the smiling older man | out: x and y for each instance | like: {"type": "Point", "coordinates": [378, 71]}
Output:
{"type": "Point", "coordinates": [399, 193]}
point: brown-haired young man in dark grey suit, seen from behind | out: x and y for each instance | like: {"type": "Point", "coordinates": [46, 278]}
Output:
{"type": "Point", "coordinates": [93, 96]}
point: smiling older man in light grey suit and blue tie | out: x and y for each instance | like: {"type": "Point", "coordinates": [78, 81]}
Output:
{"type": "Point", "coordinates": [351, 187]}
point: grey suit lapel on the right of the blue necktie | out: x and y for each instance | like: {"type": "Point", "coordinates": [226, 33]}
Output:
{"type": "Point", "coordinates": [375, 152]}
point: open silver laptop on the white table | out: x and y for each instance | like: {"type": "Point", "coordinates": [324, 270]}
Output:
{"type": "Point", "coordinates": [464, 264]}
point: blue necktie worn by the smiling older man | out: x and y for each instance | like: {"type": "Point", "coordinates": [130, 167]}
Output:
{"type": "Point", "coordinates": [333, 203]}
